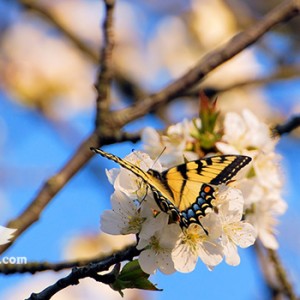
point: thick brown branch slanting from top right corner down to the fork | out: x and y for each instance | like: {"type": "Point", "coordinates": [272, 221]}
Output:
{"type": "Point", "coordinates": [282, 13]}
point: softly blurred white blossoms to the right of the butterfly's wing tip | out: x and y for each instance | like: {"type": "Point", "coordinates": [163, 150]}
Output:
{"type": "Point", "coordinates": [246, 135]}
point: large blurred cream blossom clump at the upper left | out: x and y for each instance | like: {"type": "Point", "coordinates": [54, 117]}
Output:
{"type": "Point", "coordinates": [38, 67]}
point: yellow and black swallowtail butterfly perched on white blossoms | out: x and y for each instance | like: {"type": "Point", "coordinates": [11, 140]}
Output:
{"type": "Point", "coordinates": [185, 191]}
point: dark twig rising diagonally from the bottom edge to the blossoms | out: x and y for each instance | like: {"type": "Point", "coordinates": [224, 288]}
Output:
{"type": "Point", "coordinates": [84, 272]}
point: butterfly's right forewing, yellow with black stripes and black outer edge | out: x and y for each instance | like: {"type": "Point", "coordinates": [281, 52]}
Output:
{"type": "Point", "coordinates": [185, 181]}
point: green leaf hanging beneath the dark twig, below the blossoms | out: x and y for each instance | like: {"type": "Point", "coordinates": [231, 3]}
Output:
{"type": "Point", "coordinates": [132, 276]}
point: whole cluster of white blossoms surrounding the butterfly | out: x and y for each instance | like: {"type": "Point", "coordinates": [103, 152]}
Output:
{"type": "Point", "coordinates": [242, 211]}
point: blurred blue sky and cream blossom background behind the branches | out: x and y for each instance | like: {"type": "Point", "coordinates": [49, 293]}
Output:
{"type": "Point", "coordinates": [48, 64]}
